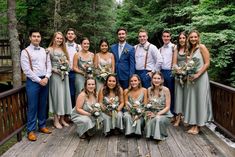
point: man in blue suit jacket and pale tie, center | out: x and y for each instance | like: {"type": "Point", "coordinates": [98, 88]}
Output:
{"type": "Point", "coordinates": [124, 55]}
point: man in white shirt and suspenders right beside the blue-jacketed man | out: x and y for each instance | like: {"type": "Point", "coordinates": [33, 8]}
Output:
{"type": "Point", "coordinates": [148, 58]}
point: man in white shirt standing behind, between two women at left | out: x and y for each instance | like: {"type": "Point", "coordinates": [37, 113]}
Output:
{"type": "Point", "coordinates": [72, 48]}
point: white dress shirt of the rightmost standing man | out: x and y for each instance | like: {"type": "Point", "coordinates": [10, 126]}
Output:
{"type": "Point", "coordinates": [167, 55]}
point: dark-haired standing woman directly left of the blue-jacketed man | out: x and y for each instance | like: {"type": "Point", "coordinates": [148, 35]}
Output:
{"type": "Point", "coordinates": [104, 62]}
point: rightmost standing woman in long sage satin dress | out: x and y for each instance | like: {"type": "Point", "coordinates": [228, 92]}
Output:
{"type": "Point", "coordinates": [198, 106]}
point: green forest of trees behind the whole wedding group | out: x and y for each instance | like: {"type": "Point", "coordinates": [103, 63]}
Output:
{"type": "Point", "coordinates": [96, 19]}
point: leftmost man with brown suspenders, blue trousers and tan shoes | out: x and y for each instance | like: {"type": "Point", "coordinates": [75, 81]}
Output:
{"type": "Point", "coordinates": [36, 65]}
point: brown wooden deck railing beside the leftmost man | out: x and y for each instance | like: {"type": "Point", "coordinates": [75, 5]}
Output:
{"type": "Point", "coordinates": [12, 113]}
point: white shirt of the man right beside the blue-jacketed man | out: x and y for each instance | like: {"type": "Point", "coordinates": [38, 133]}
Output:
{"type": "Point", "coordinates": [154, 58]}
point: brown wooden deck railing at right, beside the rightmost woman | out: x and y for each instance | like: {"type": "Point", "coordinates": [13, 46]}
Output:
{"type": "Point", "coordinates": [223, 101]}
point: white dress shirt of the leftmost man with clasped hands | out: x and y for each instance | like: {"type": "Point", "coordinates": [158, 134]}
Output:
{"type": "Point", "coordinates": [41, 63]}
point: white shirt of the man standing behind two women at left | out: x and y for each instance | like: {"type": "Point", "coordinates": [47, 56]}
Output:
{"type": "Point", "coordinates": [72, 48]}
